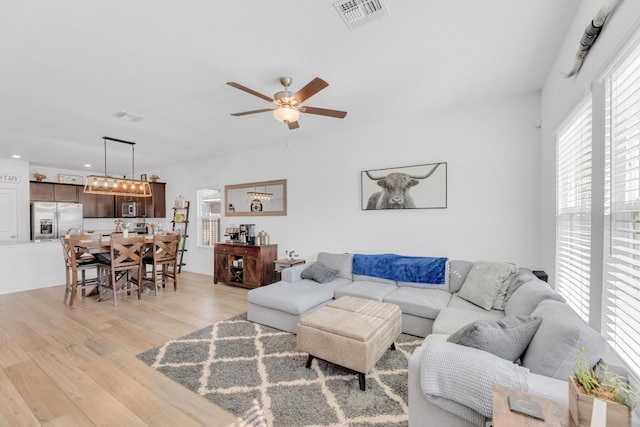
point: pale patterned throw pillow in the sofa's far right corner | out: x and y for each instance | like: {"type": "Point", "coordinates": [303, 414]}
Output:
{"type": "Point", "coordinates": [486, 282]}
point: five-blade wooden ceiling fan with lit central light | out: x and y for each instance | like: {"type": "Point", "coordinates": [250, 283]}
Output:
{"type": "Point", "coordinates": [289, 104]}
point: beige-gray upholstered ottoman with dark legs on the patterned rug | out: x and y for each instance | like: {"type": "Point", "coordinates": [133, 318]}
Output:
{"type": "Point", "coordinates": [350, 332]}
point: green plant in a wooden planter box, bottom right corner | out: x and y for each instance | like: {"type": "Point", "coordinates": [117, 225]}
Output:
{"type": "Point", "coordinates": [588, 384]}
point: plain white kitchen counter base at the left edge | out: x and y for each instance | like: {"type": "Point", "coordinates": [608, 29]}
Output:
{"type": "Point", "coordinates": [31, 265]}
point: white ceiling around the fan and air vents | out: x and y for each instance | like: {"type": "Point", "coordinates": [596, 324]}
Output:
{"type": "Point", "coordinates": [69, 65]}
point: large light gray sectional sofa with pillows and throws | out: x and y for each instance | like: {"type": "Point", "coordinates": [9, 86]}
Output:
{"type": "Point", "coordinates": [485, 323]}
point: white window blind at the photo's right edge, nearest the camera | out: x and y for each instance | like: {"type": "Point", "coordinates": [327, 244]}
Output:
{"type": "Point", "coordinates": [621, 287]}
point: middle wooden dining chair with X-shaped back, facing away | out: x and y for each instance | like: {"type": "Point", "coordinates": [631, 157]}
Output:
{"type": "Point", "coordinates": [126, 265]}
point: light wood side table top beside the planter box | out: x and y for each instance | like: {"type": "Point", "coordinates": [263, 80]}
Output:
{"type": "Point", "coordinates": [556, 414]}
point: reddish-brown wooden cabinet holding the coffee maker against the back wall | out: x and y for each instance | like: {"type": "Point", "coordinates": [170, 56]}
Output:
{"type": "Point", "coordinates": [247, 266]}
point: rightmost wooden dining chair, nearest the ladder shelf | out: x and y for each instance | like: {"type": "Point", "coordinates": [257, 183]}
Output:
{"type": "Point", "coordinates": [163, 260]}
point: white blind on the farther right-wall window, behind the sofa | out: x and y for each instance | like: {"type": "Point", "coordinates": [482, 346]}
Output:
{"type": "Point", "coordinates": [573, 208]}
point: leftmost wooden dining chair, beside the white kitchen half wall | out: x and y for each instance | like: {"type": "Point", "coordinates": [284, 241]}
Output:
{"type": "Point", "coordinates": [76, 266]}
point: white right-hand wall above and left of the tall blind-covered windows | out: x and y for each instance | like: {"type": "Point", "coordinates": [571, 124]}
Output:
{"type": "Point", "coordinates": [560, 96]}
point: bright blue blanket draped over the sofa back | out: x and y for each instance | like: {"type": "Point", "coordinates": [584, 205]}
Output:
{"type": "Point", "coordinates": [401, 268]}
